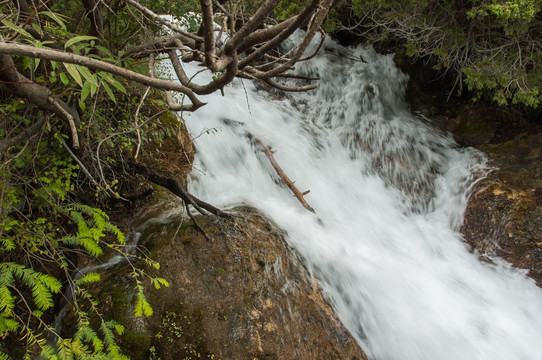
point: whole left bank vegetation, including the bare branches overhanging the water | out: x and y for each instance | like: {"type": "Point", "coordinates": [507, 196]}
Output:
{"type": "Point", "coordinates": [83, 118]}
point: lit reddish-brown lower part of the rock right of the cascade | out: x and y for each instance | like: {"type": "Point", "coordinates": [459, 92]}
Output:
{"type": "Point", "coordinates": [504, 214]}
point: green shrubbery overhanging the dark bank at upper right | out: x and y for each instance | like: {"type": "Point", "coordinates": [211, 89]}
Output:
{"type": "Point", "coordinates": [493, 48]}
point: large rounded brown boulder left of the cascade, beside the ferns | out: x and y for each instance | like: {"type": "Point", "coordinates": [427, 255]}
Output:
{"type": "Point", "coordinates": [241, 293]}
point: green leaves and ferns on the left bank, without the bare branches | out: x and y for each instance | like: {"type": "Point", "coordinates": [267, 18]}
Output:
{"type": "Point", "coordinates": [44, 226]}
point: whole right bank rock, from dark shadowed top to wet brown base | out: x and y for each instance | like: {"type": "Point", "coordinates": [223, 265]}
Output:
{"type": "Point", "coordinates": [504, 214]}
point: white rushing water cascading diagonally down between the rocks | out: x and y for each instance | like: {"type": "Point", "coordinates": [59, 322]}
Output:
{"type": "Point", "coordinates": [388, 193]}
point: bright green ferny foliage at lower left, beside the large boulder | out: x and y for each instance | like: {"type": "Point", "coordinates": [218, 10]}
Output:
{"type": "Point", "coordinates": [37, 264]}
